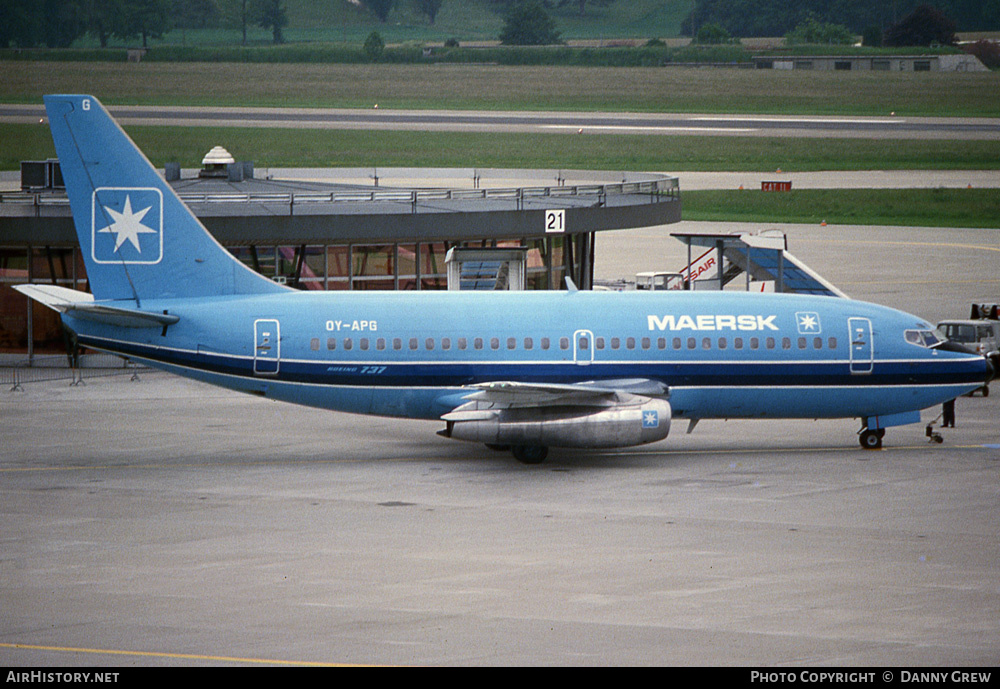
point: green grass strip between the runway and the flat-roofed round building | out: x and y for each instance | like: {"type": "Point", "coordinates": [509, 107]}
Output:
{"type": "Point", "coordinates": [355, 148]}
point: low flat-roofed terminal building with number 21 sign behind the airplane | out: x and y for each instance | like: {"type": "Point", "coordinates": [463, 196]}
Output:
{"type": "Point", "coordinates": [346, 229]}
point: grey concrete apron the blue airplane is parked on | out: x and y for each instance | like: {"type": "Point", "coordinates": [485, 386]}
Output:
{"type": "Point", "coordinates": [162, 522]}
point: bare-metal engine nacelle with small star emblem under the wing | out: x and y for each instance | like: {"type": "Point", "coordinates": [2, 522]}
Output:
{"type": "Point", "coordinates": [577, 426]}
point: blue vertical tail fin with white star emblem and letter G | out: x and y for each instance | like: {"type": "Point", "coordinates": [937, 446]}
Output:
{"type": "Point", "coordinates": [138, 239]}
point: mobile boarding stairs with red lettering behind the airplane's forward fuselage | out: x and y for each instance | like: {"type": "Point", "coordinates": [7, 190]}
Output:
{"type": "Point", "coordinates": [762, 261]}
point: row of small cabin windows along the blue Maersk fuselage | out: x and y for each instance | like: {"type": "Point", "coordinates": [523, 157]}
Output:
{"type": "Point", "coordinates": [583, 343]}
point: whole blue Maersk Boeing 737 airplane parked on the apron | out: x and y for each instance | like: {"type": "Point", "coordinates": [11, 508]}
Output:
{"type": "Point", "coordinates": [518, 370]}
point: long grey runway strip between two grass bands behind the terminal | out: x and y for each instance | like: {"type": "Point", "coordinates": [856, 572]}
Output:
{"type": "Point", "coordinates": [665, 124]}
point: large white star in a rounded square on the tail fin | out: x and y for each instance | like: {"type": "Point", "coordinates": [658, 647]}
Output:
{"type": "Point", "coordinates": [127, 225]}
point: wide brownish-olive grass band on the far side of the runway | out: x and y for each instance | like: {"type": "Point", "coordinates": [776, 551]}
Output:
{"type": "Point", "coordinates": [636, 89]}
